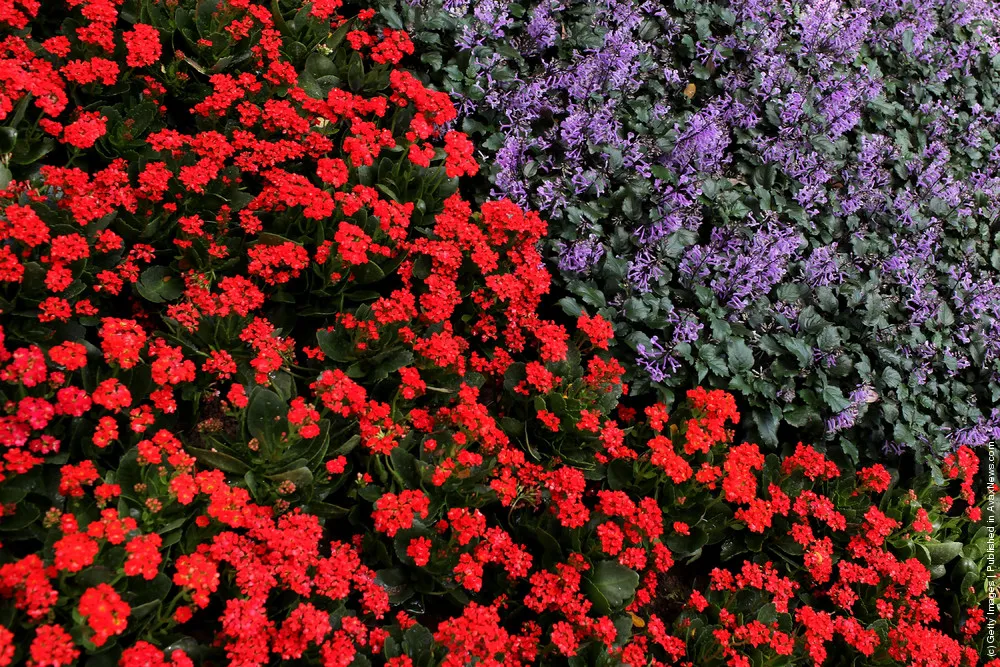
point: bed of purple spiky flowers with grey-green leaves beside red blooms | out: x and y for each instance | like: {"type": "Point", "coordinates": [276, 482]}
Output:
{"type": "Point", "coordinates": [793, 201]}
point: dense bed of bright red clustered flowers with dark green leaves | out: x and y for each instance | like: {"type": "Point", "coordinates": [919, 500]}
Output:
{"type": "Point", "coordinates": [275, 391]}
